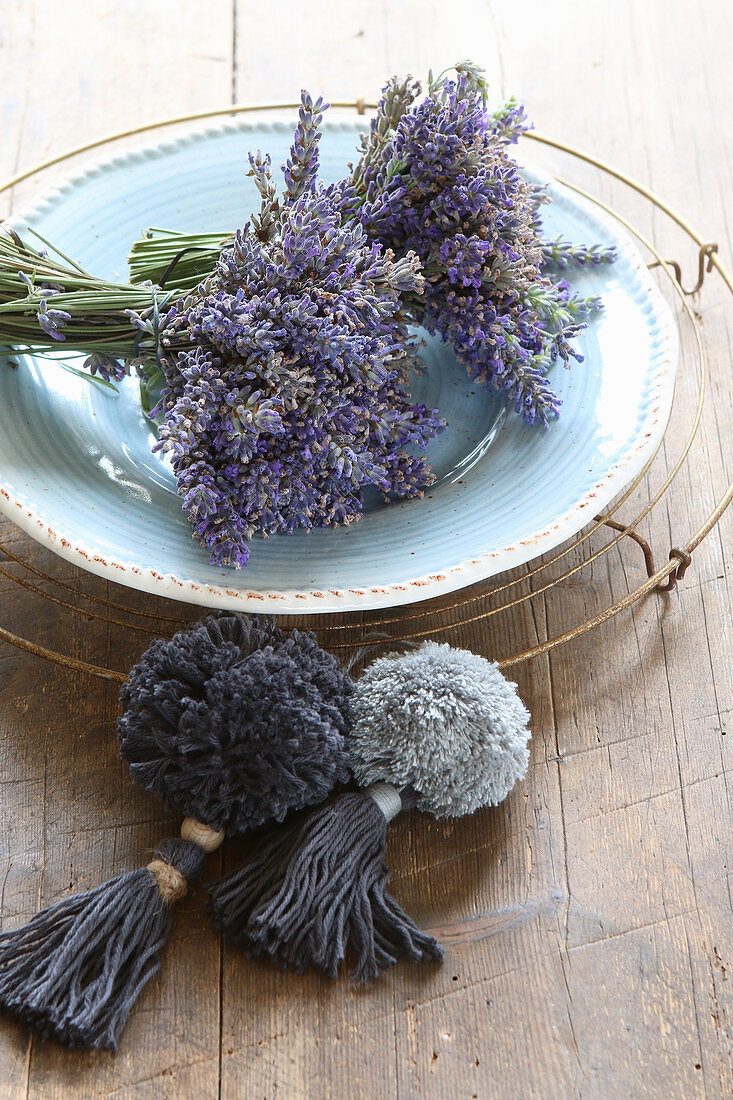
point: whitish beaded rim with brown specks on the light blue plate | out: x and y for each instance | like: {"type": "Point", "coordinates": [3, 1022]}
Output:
{"type": "Point", "coordinates": [641, 448]}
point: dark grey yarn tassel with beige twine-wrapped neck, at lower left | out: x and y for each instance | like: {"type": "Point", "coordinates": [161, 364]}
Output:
{"type": "Point", "coordinates": [75, 970]}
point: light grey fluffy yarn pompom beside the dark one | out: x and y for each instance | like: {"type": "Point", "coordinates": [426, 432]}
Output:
{"type": "Point", "coordinates": [444, 721]}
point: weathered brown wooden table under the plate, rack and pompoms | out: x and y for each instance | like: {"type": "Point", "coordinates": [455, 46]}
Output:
{"type": "Point", "coordinates": [588, 920]}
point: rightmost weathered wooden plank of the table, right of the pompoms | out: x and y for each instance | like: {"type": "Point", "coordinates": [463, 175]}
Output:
{"type": "Point", "coordinates": [644, 778]}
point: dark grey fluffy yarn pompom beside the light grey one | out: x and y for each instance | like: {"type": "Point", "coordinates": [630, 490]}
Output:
{"type": "Point", "coordinates": [234, 723]}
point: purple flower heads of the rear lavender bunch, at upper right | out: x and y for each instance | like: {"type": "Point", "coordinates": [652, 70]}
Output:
{"type": "Point", "coordinates": [435, 179]}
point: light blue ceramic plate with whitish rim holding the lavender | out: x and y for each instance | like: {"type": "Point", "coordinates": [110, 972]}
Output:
{"type": "Point", "coordinates": [76, 470]}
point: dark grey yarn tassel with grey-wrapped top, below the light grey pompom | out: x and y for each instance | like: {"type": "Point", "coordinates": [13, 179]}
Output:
{"type": "Point", "coordinates": [315, 890]}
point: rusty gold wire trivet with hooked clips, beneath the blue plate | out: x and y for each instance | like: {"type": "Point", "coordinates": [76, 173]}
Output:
{"type": "Point", "coordinates": [471, 609]}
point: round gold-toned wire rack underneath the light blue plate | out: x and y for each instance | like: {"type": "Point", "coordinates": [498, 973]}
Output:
{"type": "Point", "coordinates": [612, 530]}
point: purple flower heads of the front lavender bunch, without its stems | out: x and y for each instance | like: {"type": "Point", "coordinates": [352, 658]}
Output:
{"type": "Point", "coordinates": [286, 375]}
